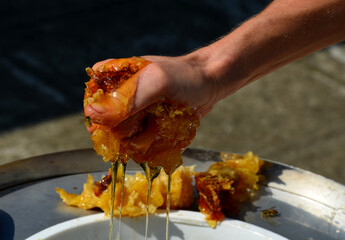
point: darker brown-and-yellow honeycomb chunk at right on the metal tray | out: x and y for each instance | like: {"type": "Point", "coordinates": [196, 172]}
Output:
{"type": "Point", "coordinates": [226, 185]}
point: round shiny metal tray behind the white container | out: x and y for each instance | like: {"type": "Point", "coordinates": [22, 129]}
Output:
{"type": "Point", "coordinates": [310, 206]}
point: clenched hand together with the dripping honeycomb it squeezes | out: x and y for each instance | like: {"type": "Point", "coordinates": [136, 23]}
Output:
{"type": "Point", "coordinates": [134, 110]}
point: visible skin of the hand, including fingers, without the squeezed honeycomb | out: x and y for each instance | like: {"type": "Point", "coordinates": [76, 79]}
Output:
{"type": "Point", "coordinates": [181, 80]}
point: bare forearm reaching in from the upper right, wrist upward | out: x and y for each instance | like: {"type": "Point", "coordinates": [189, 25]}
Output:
{"type": "Point", "coordinates": [285, 31]}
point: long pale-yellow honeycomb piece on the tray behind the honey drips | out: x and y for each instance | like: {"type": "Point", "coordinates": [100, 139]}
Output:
{"type": "Point", "coordinates": [135, 193]}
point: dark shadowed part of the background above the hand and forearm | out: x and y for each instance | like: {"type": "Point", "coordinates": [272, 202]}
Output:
{"type": "Point", "coordinates": [46, 45]}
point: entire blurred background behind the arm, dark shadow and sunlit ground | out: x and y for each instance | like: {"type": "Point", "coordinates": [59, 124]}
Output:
{"type": "Point", "coordinates": [295, 115]}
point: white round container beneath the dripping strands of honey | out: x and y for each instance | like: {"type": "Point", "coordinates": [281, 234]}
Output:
{"type": "Point", "coordinates": [183, 225]}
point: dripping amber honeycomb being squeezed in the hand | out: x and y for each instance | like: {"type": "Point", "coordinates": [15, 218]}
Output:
{"type": "Point", "coordinates": [157, 134]}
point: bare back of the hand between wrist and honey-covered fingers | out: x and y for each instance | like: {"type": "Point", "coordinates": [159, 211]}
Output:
{"type": "Point", "coordinates": [182, 80]}
